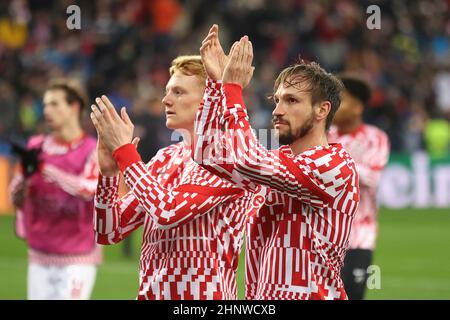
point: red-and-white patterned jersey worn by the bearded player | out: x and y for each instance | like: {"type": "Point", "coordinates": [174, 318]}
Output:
{"type": "Point", "coordinates": [295, 244]}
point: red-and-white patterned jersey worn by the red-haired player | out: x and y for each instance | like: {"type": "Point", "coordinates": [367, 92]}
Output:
{"type": "Point", "coordinates": [193, 223]}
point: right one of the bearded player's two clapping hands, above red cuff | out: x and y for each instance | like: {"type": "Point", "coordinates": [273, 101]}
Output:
{"type": "Point", "coordinates": [239, 68]}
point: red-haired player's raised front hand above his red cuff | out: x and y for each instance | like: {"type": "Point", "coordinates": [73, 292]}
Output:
{"type": "Point", "coordinates": [114, 130]}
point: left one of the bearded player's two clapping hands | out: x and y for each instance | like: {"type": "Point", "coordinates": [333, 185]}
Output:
{"type": "Point", "coordinates": [213, 57]}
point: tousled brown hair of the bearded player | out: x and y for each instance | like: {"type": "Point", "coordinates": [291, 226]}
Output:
{"type": "Point", "coordinates": [310, 76]}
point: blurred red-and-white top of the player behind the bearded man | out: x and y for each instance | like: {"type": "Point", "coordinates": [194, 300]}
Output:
{"type": "Point", "coordinates": [369, 147]}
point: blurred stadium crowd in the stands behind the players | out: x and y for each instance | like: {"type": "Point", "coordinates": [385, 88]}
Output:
{"type": "Point", "coordinates": [124, 49]}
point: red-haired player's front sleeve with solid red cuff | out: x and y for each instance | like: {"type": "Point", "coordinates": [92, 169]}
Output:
{"type": "Point", "coordinates": [192, 198]}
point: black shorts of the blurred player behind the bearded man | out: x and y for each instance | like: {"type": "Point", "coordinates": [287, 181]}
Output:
{"type": "Point", "coordinates": [354, 272]}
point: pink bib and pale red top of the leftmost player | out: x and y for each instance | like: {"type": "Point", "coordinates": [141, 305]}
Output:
{"type": "Point", "coordinates": [57, 217]}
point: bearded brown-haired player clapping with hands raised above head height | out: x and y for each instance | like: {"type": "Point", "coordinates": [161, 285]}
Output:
{"type": "Point", "coordinates": [296, 243]}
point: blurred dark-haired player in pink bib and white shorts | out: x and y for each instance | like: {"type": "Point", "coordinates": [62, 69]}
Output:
{"type": "Point", "coordinates": [55, 202]}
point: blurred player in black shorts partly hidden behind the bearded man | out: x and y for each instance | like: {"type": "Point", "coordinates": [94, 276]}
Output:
{"type": "Point", "coordinates": [369, 147]}
